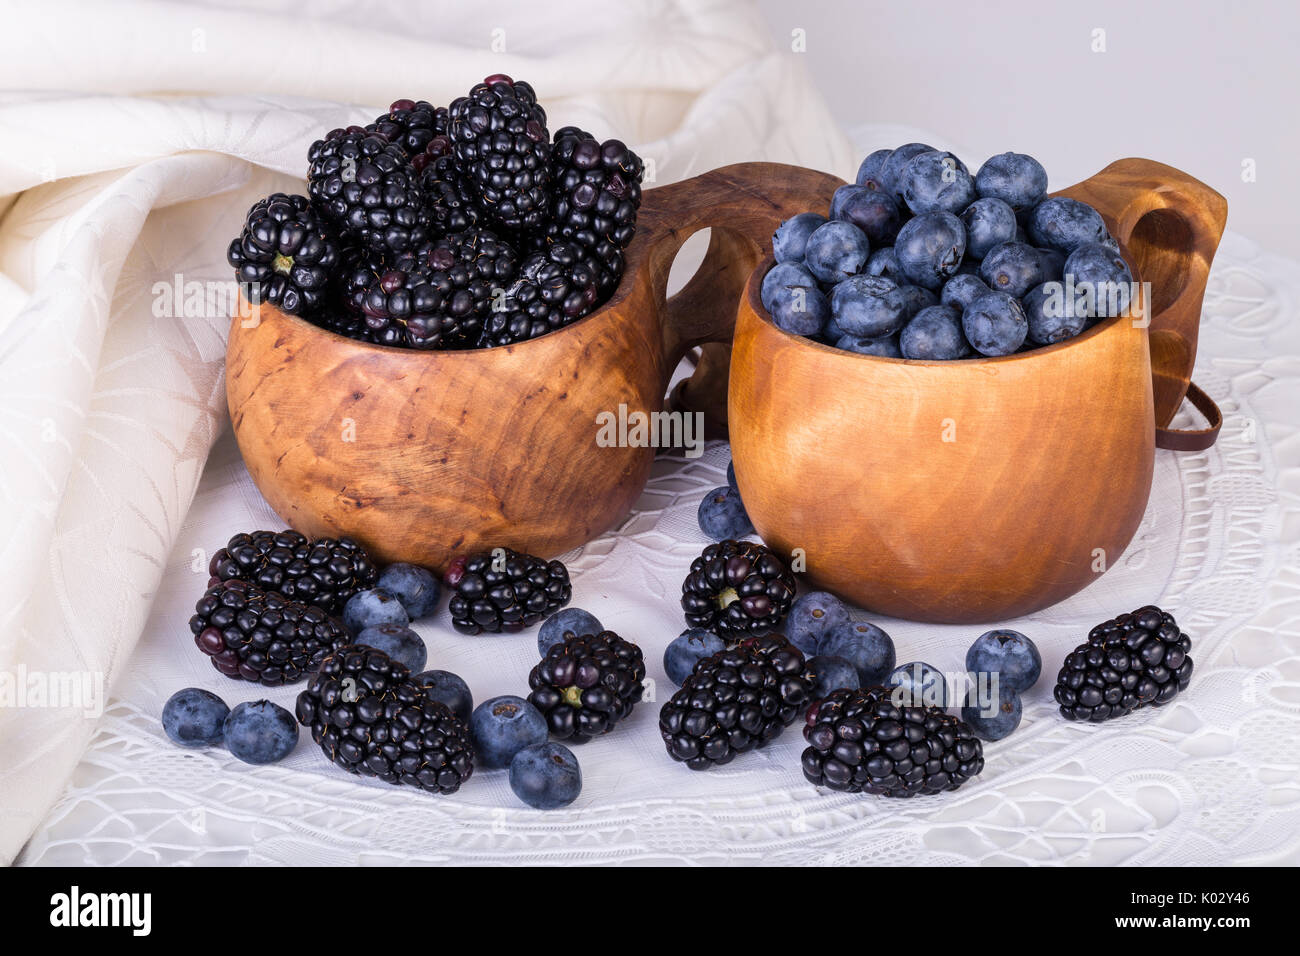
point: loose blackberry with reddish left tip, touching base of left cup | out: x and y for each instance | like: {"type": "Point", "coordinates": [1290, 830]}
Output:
{"type": "Point", "coordinates": [505, 591]}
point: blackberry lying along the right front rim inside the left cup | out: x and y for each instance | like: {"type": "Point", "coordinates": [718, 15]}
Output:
{"type": "Point", "coordinates": [556, 287]}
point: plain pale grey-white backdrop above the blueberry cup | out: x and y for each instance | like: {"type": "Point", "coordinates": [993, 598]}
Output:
{"type": "Point", "coordinates": [1201, 86]}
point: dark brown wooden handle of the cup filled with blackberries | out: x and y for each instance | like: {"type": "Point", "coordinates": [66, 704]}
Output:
{"type": "Point", "coordinates": [742, 206]}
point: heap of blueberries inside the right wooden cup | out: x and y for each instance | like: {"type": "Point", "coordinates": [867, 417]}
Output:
{"type": "Point", "coordinates": [920, 259]}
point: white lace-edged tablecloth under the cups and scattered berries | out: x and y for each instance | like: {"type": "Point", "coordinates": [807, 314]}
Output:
{"type": "Point", "coordinates": [1214, 778]}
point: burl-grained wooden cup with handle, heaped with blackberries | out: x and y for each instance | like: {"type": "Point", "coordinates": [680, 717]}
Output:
{"type": "Point", "coordinates": [422, 456]}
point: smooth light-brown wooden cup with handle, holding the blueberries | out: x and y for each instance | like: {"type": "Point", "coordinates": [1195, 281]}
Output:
{"type": "Point", "coordinates": [983, 490]}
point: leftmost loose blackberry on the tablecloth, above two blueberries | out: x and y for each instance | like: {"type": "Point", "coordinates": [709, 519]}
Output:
{"type": "Point", "coordinates": [253, 634]}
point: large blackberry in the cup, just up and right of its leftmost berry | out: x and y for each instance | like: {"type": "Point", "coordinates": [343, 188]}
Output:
{"type": "Point", "coordinates": [367, 187]}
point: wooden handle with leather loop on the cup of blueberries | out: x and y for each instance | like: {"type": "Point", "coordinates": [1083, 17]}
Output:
{"type": "Point", "coordinates": [1171, 224]}
